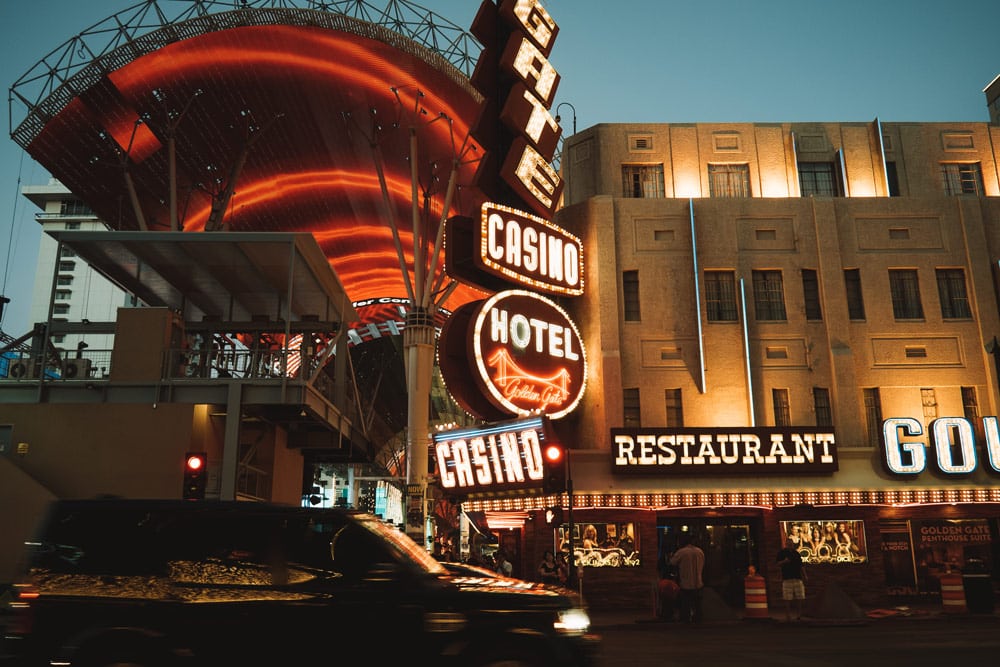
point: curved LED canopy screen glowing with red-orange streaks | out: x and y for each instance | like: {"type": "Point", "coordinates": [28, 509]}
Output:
{"type": "Point", "coordinates": [276, 128]}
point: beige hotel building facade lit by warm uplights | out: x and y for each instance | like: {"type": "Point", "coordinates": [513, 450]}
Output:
{"type": "Point", "coordinates": [799, 283]}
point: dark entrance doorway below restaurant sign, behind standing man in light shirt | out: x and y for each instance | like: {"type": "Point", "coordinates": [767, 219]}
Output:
{"type": "Point", "coordinates": [730, 547]}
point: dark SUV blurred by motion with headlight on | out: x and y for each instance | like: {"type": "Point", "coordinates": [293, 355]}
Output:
{"type": "Point", "coordinates": [139, 582]}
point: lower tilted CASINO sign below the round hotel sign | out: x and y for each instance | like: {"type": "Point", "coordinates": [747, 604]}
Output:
{"type": "Point", "coordinates": [499, 457]}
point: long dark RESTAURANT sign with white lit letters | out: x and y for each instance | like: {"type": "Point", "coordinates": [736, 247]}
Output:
{"type": "Point", "coordinates": [723, 451]}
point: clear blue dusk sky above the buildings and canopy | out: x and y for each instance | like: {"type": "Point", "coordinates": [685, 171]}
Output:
{"type": "Point", "coordinates": [639, 61]}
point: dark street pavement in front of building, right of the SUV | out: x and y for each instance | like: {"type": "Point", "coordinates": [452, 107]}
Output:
{"type": "Point", "coordinates": [912, 635]}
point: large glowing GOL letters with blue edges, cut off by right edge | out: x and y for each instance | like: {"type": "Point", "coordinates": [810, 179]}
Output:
{"type": "Point", "coordinates": [951, 436]}
